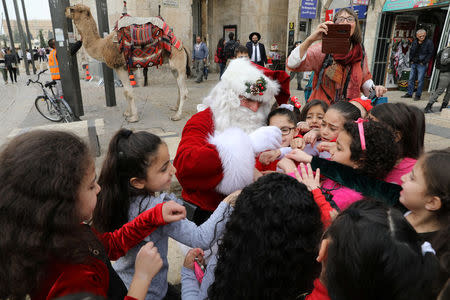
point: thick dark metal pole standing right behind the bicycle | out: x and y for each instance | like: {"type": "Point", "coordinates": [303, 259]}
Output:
{"type": "Point", "coordinates": [68, 67]}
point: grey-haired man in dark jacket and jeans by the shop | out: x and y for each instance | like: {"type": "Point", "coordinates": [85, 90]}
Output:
{"type": "Point", "coordinates": [419, 56]}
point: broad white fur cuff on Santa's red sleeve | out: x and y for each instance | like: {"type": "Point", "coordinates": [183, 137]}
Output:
{"type": "Point", "coordinates": [237, 157]}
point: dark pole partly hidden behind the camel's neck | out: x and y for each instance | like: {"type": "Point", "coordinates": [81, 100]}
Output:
{"type": "Point", "coordinates": [103, 29]}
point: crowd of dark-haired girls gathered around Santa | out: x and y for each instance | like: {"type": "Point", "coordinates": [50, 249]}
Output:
{"type": "Point", "coordinates": [350, 207]}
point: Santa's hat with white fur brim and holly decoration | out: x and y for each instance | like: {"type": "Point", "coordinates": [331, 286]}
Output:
{"type": "Point", "coordinates": [250, 81]}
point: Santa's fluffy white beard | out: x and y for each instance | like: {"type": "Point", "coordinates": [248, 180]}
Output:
{"type": "Point", "coordinates": [228, 112]}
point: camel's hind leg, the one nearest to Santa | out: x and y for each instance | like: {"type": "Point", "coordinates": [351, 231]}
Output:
{"type": "Point", "coordinates": [177, 64]}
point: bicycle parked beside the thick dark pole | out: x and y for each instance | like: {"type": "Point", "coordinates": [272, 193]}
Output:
{"type": "Point", "coordinates": [49, 106]}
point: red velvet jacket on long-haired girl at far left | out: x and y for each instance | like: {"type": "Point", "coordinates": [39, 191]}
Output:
{"type": "Point", "coordinates": [64, 278]}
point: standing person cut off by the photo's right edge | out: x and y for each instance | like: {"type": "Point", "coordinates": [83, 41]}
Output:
{"type": "Point", "coordinates": [443, 65]}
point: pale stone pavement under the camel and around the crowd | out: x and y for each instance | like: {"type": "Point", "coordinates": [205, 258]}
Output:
{"type": "Point", "coordinates": [17, 111]}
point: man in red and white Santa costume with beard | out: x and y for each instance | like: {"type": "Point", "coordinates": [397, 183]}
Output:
{"type": "Point", "coordinates": [216, 154]}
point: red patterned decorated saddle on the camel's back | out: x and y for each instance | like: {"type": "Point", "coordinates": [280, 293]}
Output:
{"type": "Point", "coordinates": [142, 40]}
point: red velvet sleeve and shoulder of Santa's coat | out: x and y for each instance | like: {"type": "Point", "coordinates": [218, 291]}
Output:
{"type": "Point", "coordinates": [199, 168]}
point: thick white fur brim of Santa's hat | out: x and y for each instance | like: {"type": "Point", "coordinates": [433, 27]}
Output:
{"type": "Point", "coordinates": [240, 71]}
